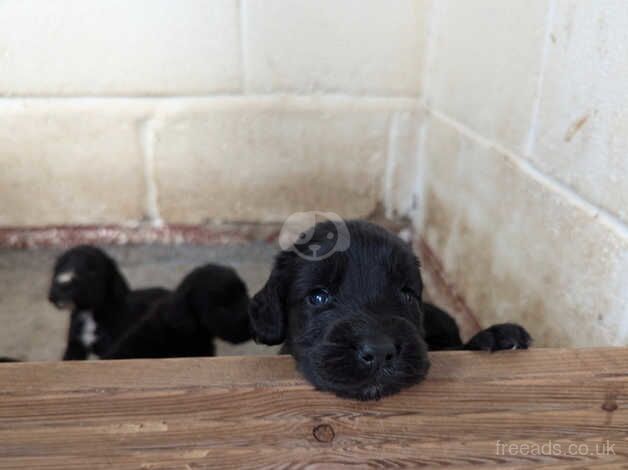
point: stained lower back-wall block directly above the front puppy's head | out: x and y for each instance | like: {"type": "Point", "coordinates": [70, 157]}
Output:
{"type": "Point", "coordinates": [263, 159]}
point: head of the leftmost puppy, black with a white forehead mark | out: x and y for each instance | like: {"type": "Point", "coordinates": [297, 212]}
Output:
{"type": "Point", "coordinates": [86, 278]}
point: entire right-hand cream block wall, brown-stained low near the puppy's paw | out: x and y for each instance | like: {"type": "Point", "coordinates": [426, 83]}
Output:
{"type": "Point", "coordinates": [523, 191]}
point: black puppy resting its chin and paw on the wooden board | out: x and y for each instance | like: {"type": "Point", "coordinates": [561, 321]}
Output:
{"type": "Point", "coordinates": [354, 320]}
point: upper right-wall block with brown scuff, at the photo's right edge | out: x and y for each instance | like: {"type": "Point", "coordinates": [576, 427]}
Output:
{"type": "Point", "coordinates": [582, 129]}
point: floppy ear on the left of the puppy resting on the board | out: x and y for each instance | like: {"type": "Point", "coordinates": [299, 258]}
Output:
{"type": "Point", "coordinates": [267, 309]}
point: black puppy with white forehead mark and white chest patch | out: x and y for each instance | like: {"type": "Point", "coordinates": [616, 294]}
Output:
{"type": "Point", "coordinates": [88, 282]}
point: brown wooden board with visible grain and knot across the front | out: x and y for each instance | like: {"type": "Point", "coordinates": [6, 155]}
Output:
{"type": "Point", "coordinates": [475, 410]}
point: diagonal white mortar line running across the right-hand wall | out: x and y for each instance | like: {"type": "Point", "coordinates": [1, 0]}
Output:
{"type": "Point", "coordinates": [605, 217]}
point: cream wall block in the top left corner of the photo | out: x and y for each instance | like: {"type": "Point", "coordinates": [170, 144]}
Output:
{"type": "Point", "coordinates": [143, 47]}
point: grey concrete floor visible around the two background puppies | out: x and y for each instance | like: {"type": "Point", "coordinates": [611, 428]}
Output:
{"type": "Point", "coordinates": [32, 329]}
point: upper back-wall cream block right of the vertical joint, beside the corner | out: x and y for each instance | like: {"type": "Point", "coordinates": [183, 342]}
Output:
{"type": "Point", "coordinates": [354, 46]}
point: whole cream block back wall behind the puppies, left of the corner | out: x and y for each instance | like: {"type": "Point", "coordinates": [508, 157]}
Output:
{"type": "Point", "coordinates": [206, 138]}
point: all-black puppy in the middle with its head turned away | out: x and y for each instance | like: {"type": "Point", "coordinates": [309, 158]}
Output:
{"type": "Point", "coordinates": [211, 301]}
